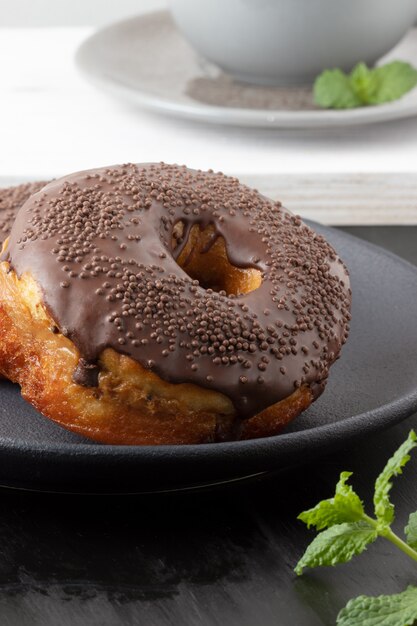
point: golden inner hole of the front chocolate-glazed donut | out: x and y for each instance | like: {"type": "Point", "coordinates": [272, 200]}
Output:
{"type": "Point", "coordinates": [204, 258]}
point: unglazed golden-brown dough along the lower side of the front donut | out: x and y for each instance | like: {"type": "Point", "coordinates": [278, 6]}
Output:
{"type": "Point", "coordinates": [131, 405]}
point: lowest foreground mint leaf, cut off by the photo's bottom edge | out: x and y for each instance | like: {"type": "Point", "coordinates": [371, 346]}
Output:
{"type": "Point", "coordinates": [396, 610]}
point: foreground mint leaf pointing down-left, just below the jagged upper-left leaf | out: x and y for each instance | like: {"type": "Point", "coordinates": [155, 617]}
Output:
{"type": "Point", "coordinates": [337, 544]}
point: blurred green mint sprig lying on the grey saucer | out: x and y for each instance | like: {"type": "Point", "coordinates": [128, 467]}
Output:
{"type": "Point", "coordinates": [334, 89]}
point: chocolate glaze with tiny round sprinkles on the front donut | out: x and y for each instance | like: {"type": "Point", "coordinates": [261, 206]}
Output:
{"type": "Point", "coordinates": [99, 244]}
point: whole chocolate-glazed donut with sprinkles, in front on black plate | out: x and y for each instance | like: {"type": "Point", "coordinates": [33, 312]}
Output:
{"type": "Point", "coordinates": [153, 304]}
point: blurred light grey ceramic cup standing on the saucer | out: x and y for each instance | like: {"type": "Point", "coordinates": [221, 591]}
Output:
{"type": "Point", "coordinates": [274, 42]}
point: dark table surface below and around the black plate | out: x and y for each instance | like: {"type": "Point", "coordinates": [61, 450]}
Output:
{"type": "Point", "coordinates": [222, 557]}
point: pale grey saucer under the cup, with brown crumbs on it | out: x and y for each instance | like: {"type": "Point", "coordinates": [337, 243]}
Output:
{"type": "Point", "coordinates": [145, 61]}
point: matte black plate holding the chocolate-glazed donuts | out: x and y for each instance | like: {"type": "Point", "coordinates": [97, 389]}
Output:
{"type": "Point", "coordinates": [372, 386]}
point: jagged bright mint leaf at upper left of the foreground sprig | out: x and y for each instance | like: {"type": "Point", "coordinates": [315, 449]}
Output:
{"type": "Point", "coordinates": [345, 506]}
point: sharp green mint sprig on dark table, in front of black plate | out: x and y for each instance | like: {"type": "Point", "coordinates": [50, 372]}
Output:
{"type": "Point", "coordinates": [347, 530]}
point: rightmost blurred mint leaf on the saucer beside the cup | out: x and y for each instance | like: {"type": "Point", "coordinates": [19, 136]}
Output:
{"type": "Point", "coordinates": [394, 80]}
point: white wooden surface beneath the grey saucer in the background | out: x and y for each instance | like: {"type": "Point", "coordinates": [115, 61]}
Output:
{"type": "Point", "coordinates": [52, 122]}
